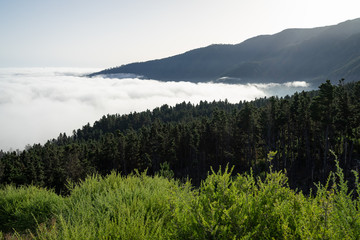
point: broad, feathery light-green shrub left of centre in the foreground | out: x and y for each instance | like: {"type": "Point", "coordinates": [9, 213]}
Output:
{"type": "Point", "coordinates": [116, 207]}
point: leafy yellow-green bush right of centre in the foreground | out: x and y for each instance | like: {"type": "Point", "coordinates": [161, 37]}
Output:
{"type": "Point", "coordinates": [243, 207]}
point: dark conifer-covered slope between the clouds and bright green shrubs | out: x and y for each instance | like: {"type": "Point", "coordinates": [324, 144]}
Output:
{"type": "Point", "coordinates": [189, 139]}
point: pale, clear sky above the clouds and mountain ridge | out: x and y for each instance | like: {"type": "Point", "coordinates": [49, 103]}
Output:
{"type": "Point", "coordinates": [108, 33]}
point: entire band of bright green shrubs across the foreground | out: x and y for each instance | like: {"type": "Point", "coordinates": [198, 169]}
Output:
{"type": "Point", "coordinates": [138, 206]}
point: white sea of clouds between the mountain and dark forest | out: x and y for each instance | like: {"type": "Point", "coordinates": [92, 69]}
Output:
{"type": "Point", "coordinates": [36, 104]}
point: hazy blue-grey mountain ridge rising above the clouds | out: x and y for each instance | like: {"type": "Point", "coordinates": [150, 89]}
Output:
{"type": "Point", "coordinates": [313, 55]}
